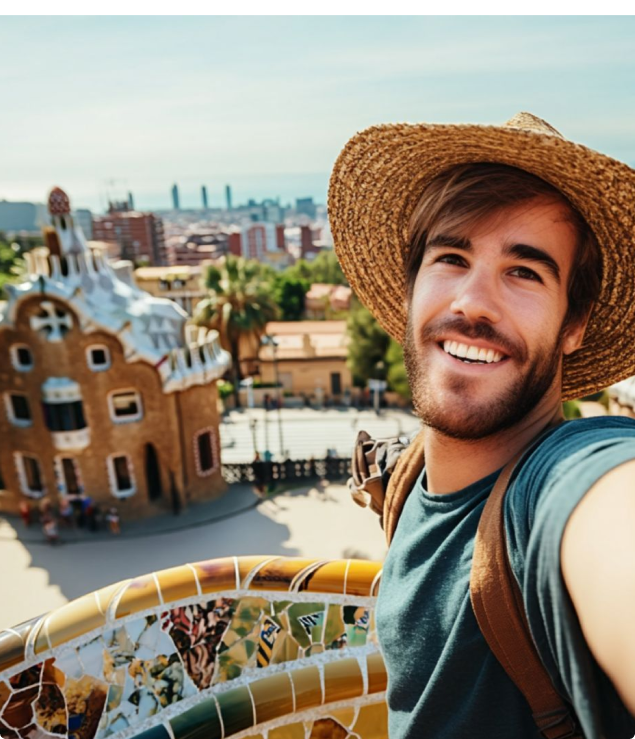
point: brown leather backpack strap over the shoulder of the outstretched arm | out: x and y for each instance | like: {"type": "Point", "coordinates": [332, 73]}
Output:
{"type": "Point", "coordinates": [499, 609]}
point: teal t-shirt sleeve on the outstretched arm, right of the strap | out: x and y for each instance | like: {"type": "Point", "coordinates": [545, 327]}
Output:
{"type": "Point", "coordinates": [547, 488]}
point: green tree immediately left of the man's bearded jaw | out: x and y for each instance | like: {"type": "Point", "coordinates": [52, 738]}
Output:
{"type": "Point", "coordinates": [367, 347]}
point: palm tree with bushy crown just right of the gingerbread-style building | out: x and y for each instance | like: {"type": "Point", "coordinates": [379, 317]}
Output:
{"type": "Point", "coordinates": [240, 304]}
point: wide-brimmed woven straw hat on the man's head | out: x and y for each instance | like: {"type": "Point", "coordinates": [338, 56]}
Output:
{"type": "Point", "coordinates": [381, 171]}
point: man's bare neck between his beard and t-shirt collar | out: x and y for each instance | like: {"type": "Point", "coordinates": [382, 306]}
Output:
{"type": "Point", "coordinates": [452, 464]}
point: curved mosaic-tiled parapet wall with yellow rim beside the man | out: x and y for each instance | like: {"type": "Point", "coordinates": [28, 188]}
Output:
{"type": "Point", "coordinates": [268, 647]}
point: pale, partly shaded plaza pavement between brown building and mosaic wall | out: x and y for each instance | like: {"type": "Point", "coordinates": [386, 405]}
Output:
{"type": "Point", "coordinates": [309, 522]}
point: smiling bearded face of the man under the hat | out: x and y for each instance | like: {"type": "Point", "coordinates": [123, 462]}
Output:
{"type": "Point", "coordinates": [485, 339]}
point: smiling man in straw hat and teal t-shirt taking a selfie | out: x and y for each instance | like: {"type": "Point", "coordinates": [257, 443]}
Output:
{"type": "Point", "coordinates": [503, 258]}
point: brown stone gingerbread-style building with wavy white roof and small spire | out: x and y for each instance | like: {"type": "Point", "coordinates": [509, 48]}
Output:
{"type": "Point", "coordinates": [106, 392]}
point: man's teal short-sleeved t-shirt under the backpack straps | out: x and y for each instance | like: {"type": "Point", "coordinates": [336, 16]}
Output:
{"type": "Point", "coordinates": [443, 680]}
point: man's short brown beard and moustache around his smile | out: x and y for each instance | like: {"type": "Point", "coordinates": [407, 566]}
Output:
{"type": "Point", "coordinates": [504, 411]}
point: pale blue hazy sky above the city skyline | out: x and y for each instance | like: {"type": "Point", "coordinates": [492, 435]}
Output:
{"type": "Point", "coordinates": [267, 102]}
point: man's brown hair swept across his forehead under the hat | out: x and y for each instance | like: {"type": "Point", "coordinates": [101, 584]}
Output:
{"type": "Point", "coordinates": [464, 195]}
